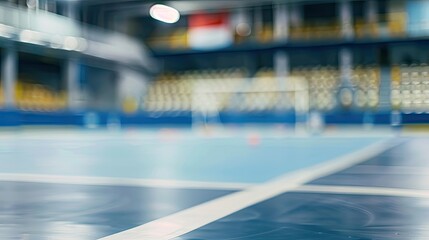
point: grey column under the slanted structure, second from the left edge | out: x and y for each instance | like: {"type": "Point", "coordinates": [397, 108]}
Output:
{"type": "Point", "coordinates": [72, 79]}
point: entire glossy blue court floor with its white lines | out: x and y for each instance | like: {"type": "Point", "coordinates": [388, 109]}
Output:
{"type": "Point", "coordinates": [176, 185]}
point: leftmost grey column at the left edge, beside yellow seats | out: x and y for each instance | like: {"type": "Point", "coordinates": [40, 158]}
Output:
{"type": "Point", "coordinates": [9, 75]}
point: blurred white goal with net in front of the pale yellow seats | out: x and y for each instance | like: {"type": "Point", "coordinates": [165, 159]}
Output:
{"type": "Point", "coordinates": [210, 98]}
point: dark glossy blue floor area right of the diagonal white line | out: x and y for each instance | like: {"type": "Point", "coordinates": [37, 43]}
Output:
{"type": "Point", "coordinates": [324, 212]}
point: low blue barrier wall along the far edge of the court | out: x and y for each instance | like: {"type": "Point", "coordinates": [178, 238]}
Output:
{"type": "Point", "coordinates": [185, 119]}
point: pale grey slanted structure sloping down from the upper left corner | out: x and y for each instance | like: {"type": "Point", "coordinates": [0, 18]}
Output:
{"type": "Point", "coordinates": [54, 31]}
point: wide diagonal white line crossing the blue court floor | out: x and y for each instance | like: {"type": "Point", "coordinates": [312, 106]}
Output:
{"type": "Point", "coordinates": [180, 223]}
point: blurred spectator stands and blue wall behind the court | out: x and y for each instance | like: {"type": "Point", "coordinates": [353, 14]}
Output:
{"type": "Point", "coordinates": [119, 63]}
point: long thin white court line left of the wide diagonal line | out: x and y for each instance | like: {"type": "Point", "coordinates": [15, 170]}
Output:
{"type": "Point", "coordinates": [107, 181]}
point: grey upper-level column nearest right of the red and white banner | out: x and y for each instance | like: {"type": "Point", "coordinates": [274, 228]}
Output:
{"type": "Point", "coordinates": [281, 22]}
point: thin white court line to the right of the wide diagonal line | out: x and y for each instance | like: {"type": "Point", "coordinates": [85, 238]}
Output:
{"type": "Point", "coordinates": [358, 190]}
